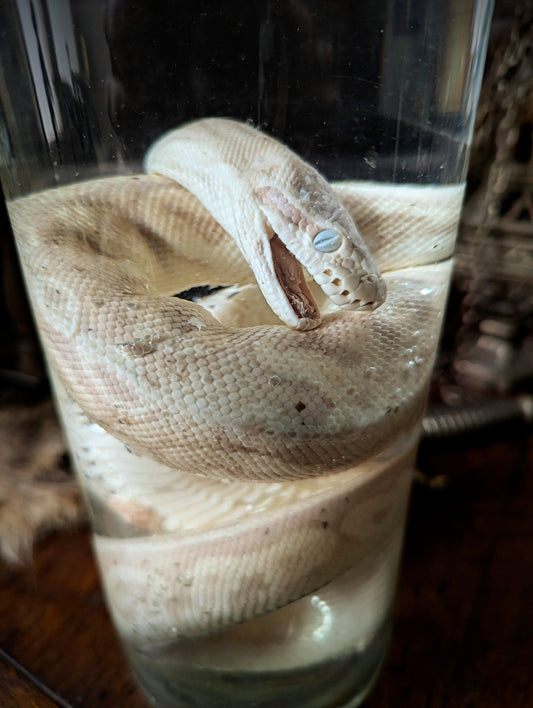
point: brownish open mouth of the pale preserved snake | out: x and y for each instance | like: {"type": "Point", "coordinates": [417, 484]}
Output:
{"type": "Point", "coordinates": [290, 276]}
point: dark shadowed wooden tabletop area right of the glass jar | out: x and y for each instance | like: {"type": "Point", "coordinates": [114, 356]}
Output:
{"type": "Point", "coordinates": [464, 621]}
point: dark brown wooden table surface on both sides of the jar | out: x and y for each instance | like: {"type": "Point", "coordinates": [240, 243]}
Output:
{"type": "Point", "coordinates": [463, 617]}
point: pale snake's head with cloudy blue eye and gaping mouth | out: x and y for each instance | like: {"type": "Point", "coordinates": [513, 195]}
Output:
{"type": "Point", "coordinates": [313, 228]}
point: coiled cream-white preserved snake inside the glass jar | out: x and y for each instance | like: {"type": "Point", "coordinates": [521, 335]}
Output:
{"type": "Point", "coordinates": [312, 359]}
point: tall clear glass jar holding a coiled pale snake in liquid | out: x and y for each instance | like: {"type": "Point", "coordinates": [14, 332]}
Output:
{"type": "Point", "coordinates": [247, 481]}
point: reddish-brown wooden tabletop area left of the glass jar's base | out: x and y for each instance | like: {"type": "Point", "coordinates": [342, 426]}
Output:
{"type": "Point", "coordinates": [54, 623]}
